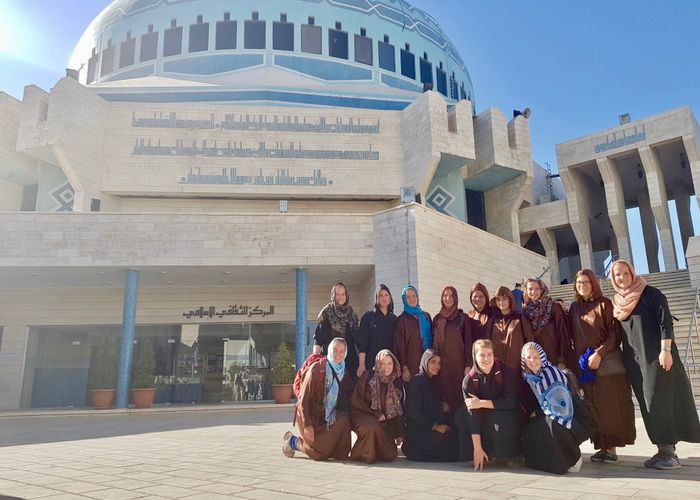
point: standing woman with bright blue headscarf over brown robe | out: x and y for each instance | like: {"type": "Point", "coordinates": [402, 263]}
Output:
{"type": "Point", "coordinates": [413, 334]}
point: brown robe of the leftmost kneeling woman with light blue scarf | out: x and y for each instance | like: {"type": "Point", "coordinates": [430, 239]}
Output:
{"type": "Point", "coordinates": [329, 442]}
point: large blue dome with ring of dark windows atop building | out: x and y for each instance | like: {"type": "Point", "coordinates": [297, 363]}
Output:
{"type": "Point", "coordinates": [358, 53]}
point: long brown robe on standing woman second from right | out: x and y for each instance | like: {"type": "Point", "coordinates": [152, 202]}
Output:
{"type": "Point", "coordinates": [593, 325]}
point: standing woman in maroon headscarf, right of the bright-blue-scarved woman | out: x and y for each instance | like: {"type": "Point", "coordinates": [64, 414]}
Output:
{"type": "Point", "coordinates": [452, 341]}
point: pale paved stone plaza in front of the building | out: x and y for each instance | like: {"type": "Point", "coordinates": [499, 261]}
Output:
{"type": "Point", "coordinates": [235, 453]}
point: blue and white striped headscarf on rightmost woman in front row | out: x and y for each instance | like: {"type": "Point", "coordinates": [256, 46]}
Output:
{"type": "Point", "coordinates": [550, 387]}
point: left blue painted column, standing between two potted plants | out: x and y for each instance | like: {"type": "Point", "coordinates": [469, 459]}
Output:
{"type": "Point", "coordinates": [126, 349]}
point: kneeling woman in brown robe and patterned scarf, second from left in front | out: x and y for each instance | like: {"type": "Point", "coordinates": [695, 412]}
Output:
{"type": "Point", "coordinates": [377, 411]}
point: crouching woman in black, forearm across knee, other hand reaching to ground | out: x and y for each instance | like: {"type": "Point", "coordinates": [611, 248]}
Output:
{"type": "Point", "coordinates": [488, 422]}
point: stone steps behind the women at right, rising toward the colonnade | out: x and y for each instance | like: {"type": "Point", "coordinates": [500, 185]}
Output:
{"type": "Point", "coordinates": [681, 299]}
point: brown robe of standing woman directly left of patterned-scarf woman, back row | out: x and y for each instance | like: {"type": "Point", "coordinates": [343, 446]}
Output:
{"type": "Point", "coordinates": [509, 334]}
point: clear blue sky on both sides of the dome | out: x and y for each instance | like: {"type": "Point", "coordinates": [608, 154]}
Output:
{"type": "Point", "coordinates": [578, 65]}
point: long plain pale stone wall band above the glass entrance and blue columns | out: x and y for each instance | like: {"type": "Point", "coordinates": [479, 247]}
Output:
{"type": "Point", "coordinates": [123, 240]}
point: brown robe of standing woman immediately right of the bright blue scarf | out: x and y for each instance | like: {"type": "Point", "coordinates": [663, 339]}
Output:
{"type": "Point", "coordinates": [455, 352]}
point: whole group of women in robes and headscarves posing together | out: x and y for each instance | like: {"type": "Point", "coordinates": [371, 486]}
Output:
{"type": "Point", "coordinates": [496, 385]}
